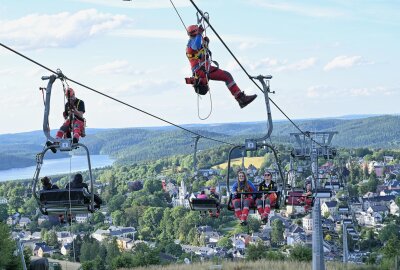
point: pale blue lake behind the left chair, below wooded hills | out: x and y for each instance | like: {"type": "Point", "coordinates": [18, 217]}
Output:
{"type": "Point", "coordinates": [57, 166]}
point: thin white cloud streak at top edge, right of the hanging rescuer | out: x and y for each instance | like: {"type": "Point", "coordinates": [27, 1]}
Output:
{"type": "Point", "coordinates": [301, 9]}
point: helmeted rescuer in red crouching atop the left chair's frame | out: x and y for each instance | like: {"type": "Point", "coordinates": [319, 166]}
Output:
{"type": "Point", "coordinates": [74, 110]}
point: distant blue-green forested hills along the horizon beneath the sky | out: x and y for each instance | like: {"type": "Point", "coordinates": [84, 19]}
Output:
{"type": "Point", "coordinates": [132, 145]}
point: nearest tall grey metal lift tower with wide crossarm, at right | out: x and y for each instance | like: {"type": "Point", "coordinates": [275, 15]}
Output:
{"type": "Point", "coordinates": [310, 146]}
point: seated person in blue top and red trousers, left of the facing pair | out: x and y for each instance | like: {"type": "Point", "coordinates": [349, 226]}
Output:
{"type": "Point", "coordinates": [242, 202]}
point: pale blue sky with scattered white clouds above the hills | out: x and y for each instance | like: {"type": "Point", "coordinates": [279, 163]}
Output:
{"type": "Point", "coordinates": [327, 58]}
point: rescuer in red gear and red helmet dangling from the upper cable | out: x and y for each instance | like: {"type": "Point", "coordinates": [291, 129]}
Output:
{"type": "Point", "coordinates": [199, 57]}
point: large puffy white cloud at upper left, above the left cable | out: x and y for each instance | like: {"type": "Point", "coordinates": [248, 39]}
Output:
{"type": "Point", "coordinates": [64, 29]}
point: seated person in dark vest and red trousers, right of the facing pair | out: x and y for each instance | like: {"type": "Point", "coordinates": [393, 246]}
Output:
{"type": "Point", "coordinates": [265, 201]}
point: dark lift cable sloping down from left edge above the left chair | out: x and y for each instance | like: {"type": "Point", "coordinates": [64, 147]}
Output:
{"type": "Point", "coordinates": [117, 100]}
